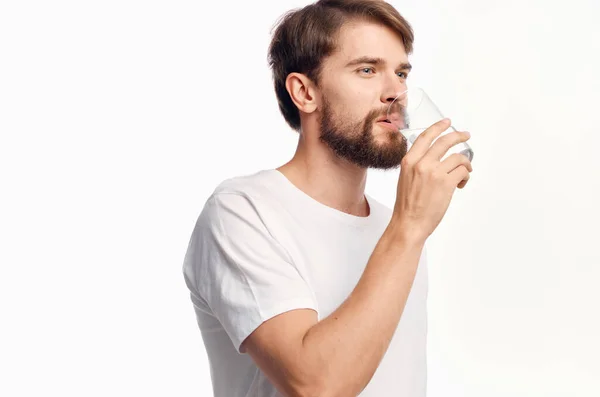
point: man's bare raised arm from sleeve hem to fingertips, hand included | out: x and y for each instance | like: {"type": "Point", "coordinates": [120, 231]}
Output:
{"type": "Point", "coordinates": [338, 355]}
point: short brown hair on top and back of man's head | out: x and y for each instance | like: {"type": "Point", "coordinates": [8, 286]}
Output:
{"type": "Point", "coordinates": [304, 37]}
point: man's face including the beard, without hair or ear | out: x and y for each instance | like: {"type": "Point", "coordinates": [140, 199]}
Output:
{"type": "Point", "coordinates": [357, 93]}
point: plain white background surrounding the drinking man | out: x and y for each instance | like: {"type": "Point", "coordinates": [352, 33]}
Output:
{"type": "Point", "coordinates": [119, 118]}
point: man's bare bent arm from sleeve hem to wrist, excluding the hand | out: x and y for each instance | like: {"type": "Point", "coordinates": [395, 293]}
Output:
{"type": "Point", "coordinates": [338, 355]}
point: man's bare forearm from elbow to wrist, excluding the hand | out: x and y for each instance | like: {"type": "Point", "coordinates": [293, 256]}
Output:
{"type": "Point", "coordinates": [346, 348]}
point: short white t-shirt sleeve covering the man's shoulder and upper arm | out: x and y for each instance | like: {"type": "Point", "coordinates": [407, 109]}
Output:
{"type": "Point", "coordinates": [243, 273]}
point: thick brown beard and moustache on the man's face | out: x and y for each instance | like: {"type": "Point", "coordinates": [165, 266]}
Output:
{"type": "Point", "coordinates": [355, 141]}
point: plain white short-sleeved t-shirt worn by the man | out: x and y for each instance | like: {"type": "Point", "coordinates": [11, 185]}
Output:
{"type": "Point", "coordinates": [262, 247]}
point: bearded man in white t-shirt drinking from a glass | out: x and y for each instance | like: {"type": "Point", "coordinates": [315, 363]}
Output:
{"type": "Point", "coordinates": [302, 284]}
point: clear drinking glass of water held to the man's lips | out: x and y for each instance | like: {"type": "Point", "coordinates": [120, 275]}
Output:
{"type": "Point", "coordinates": [412, 112]}
